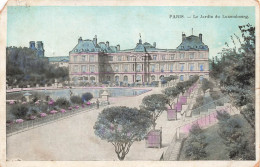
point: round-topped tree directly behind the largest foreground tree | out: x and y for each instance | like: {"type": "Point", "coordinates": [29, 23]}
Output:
{"type": "Point", "coordinates": [155, 104]}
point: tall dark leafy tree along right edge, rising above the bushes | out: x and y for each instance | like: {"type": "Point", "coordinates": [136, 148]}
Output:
{"type": "Point", "coordinates": [236, 71]}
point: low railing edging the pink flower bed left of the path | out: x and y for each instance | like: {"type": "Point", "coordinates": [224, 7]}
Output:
{"type": "Point", "coordinates": [15, 128]}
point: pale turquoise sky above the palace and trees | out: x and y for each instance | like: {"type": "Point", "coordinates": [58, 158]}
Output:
{"type": "Point", "coordinates": [59, 27]}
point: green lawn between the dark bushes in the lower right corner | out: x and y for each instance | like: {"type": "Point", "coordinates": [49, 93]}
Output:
{"type": "Point", "coordinates": [216, 149]}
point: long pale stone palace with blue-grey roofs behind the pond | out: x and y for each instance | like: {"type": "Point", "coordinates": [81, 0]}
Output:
{"type": "Point", "coordinates": [93, 62]}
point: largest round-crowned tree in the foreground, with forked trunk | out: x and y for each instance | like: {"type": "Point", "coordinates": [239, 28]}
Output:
{"type": "Point", "coordinates": [122, 126]}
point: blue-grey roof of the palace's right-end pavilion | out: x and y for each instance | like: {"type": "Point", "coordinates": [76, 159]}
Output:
{"type": "Point", "coordinates": [192, 43]}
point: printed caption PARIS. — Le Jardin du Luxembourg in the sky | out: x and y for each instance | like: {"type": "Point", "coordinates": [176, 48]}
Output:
{"type": "Point", "coordinates": [173, 16]}
